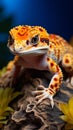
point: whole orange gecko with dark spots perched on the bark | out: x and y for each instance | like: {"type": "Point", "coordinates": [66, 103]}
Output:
{"type": "Point", "coordinates": [35, 48]}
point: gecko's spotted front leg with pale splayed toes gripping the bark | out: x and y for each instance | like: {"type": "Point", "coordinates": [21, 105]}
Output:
{"type": "Point", "coordinates": [54, 85]}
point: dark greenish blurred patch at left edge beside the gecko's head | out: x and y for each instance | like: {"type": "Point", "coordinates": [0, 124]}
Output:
{"type": "Point", "coordinates": [5, 25]}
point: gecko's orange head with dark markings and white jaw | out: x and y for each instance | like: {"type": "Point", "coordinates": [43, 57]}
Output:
{"type": "Point", "coordinates": [26, 40]}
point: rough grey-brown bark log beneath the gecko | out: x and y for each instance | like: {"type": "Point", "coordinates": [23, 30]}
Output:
{"type": "Point", "coordinates": [27, 114]}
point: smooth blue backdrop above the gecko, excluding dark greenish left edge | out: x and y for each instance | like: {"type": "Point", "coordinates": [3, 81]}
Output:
{"type": "Point", "coordinates": [55, 15]}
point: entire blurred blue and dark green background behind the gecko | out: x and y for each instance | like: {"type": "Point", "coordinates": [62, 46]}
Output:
{"type": "Point", "coordinates": [55, 15]}
